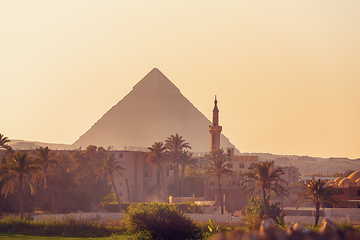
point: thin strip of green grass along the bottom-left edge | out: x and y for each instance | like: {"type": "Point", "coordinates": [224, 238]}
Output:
{"type": "Point", "coordinates": [29, 237]}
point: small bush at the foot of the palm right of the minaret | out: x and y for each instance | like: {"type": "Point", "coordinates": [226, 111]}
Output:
{"type": "Point", "coordinates": [255, 213]}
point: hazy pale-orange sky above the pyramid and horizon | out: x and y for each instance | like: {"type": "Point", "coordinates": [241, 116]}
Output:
{"type": "Point", "coordinates": [286, 73]}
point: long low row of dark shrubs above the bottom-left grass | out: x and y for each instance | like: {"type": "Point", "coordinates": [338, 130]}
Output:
{"type": "Point", "coordinates": [67, 228]}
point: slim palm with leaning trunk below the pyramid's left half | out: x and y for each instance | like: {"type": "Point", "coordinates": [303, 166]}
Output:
{"type": "Point", "coordinates": [111, 169]}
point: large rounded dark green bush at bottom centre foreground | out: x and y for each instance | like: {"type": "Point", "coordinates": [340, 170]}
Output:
{"type": "Point", "coordinates": [159, 221]}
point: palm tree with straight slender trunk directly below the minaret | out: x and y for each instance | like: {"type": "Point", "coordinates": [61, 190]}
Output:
{"type": "Point", "coordinates": [218, 168]}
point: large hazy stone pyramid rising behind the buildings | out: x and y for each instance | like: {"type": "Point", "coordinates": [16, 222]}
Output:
{"type": "Point", "coordinates": [151, 112]}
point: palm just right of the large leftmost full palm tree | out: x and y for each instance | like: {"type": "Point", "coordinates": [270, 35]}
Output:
{"type": "Point", "coordinates": [47, 167]}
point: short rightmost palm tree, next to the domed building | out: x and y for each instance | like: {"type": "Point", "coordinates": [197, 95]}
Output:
{"type": "Point", "coordinates": [319, 194]}
